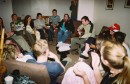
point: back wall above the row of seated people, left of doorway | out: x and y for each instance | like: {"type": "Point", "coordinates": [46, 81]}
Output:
{"type": "Point", "coordinates": [32, 7]}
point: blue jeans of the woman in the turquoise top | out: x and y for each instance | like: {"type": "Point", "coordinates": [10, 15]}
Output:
{"type": "Point", "coordinates": [62, 36]}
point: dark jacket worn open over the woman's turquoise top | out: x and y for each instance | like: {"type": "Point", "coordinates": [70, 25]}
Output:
{"type": "Point", "coordinates": [69, 25]}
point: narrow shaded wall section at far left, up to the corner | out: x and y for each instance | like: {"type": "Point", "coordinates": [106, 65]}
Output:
{"type": "Point", "coordinates": [5, 13]}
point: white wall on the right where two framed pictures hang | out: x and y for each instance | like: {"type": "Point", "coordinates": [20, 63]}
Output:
{"type": "Point", "coordinates": [119, 15]}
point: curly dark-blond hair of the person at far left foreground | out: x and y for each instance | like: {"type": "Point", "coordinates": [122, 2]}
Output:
{"type": "Point", "coordinates": [9, 52]}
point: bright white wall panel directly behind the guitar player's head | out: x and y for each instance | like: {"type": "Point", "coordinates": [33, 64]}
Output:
{"type": "Point", "coordinates": [86, 8]}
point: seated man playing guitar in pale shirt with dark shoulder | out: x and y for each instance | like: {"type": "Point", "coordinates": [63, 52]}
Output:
{"type": "Point", "coordinates": [89, 31]}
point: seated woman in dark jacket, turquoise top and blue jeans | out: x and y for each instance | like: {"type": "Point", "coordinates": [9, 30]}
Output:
{"type": "Point", "coordinates": [66, 28]}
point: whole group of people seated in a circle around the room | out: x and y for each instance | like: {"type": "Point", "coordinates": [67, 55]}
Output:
{"type": "Point", "coordinates": [108, 51]}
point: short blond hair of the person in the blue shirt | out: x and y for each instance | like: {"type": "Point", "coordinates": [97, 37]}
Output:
{"type": "Point", "coordinates": [40, 47]}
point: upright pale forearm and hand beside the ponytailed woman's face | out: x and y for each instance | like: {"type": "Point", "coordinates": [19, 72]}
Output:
{"type": "Point", "coordinates": [95, 65]}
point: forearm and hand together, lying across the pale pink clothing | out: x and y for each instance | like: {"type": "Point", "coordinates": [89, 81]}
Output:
{"type": "Point", "coordinates": [82, 74]}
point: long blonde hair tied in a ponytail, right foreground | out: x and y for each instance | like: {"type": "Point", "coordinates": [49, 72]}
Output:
{"type": "Point", "coordinates": [117, 57]}
